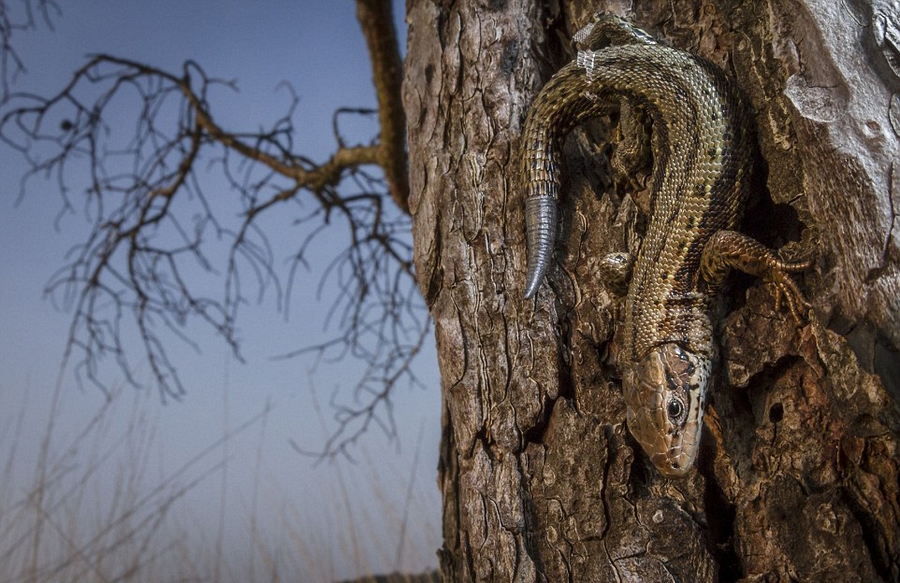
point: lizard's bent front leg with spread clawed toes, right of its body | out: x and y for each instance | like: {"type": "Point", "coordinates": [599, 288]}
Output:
{"type": "Point", "coordinates": [730, 249]}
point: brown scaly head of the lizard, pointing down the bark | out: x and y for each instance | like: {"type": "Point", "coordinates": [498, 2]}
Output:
{"type": "Point", "coordinates": [664, 394]}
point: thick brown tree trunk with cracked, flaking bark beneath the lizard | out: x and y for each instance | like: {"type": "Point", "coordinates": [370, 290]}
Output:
{"type": "Point", "coordinates": [797, 479]}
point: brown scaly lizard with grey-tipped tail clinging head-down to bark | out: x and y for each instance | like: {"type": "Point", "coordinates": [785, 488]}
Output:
{"type": "Point", "coordinates": [702, 147]}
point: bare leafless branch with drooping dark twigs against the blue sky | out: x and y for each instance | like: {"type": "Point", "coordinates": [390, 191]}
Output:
{"type": "Point", "coordinates": [155, 226]}
